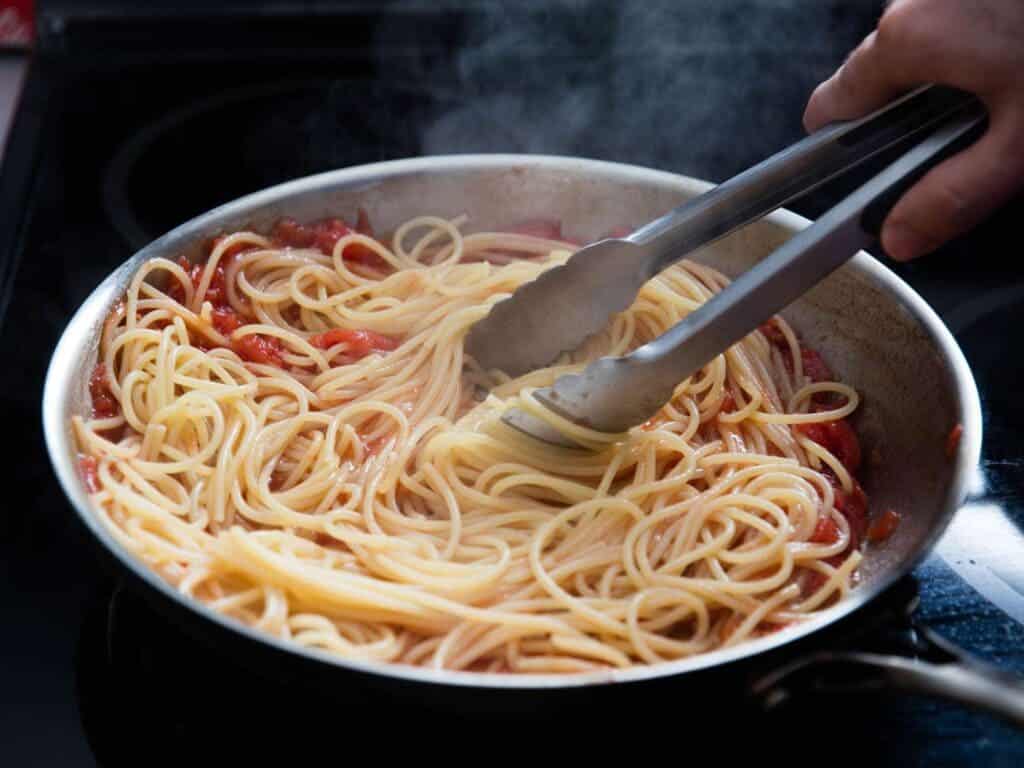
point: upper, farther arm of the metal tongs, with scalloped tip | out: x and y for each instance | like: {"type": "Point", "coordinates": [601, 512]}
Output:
{"type": "Point", "coordinates": [559, 311]}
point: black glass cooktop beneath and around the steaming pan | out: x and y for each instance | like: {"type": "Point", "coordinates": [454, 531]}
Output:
{"type": "Point", "coordinates": [130, 126]}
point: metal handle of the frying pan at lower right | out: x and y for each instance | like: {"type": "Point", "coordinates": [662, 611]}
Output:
{"type": "Point", "coordinates": [950, 674]}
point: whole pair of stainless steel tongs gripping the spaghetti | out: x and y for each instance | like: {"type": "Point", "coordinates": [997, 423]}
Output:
{"type": "Point", "coordinates": [559, 311]}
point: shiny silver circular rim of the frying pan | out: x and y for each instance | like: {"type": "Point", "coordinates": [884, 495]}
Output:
{"type": "Point", "coordinates": [62, 374]}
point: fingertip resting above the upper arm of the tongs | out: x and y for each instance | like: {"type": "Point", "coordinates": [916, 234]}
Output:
{"type": "Point", "coordinates": [871, 77]}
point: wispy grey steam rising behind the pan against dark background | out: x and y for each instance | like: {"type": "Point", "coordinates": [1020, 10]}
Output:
{"type": "Point", "coordinates": [705, 88]}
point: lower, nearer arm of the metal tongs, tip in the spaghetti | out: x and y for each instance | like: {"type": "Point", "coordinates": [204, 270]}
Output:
{"type": "Point", "coordinates": [595, 399]}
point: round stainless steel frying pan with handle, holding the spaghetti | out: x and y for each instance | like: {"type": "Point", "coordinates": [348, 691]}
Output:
{"type": "Point", "coordinates": [875, 331]}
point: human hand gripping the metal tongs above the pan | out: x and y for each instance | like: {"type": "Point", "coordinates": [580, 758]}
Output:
{"type": "Point", "coordinates": [976, 46]}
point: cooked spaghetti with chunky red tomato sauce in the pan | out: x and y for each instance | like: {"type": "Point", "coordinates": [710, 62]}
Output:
{"type": "Point", "coordinates": [291, 434]}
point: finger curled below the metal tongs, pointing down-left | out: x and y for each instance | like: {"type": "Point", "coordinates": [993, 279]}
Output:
{"type": "Point", "coordinates": [958, 195]}
